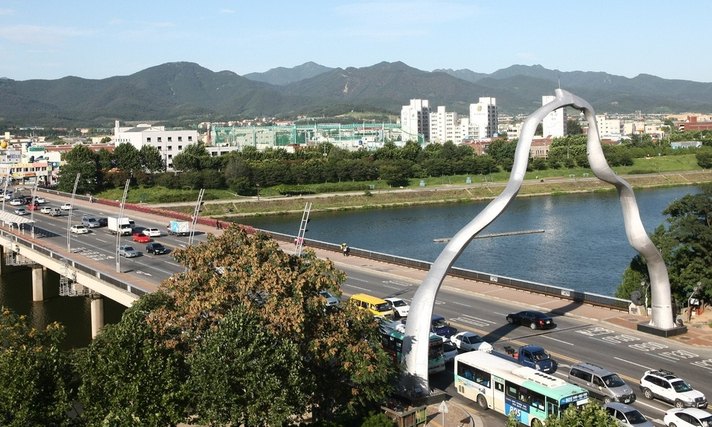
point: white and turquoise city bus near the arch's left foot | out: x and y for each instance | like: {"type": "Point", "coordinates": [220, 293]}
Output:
{"type": "Point", "coordinates": [505, 386]}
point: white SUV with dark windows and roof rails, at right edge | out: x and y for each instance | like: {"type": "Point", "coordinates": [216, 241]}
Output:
{"type": "Point", "coordinates": [666, 386]}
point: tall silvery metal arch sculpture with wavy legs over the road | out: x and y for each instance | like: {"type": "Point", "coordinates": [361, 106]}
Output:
{"type": "Point", "coordinates": [417, 329]}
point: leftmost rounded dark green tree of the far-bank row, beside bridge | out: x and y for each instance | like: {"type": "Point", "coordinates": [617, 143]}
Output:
{"type": "Point", "coordinates": [79, 159]}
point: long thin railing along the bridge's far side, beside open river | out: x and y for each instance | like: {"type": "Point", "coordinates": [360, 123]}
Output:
{"type": "Point", "coordinates": [541, 288]}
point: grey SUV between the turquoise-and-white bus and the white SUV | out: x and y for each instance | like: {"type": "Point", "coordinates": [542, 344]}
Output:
{"type": "Point", "coordinates": [601, 383]}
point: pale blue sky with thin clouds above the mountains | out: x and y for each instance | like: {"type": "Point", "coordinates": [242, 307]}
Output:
{"type": "Point", "coordinates": [48, 39]}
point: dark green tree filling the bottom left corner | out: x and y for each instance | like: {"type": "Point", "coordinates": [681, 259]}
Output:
{"type": "Point", "coordinates": [35, 374]}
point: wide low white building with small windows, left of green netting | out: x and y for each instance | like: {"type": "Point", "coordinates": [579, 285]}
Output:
{"type": "Point", "coordinates": [168, 142]}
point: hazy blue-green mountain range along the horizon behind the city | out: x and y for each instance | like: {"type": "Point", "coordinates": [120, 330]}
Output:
{"type": "Point", "coordinates": [184, 92]}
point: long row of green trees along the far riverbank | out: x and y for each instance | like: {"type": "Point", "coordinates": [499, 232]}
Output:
{"type": "Point", "coordinates": [248, 169]}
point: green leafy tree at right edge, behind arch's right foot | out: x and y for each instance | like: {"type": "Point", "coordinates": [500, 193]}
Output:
{"type": "Point", "coordinates": [686, 245]}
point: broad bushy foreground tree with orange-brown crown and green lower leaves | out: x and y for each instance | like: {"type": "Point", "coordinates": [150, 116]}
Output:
{"type": "Point", "coordinates": [239, 289]}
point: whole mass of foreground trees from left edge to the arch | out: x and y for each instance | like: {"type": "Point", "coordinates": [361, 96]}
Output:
{"type": "Point", "coordinates": [242, 337]}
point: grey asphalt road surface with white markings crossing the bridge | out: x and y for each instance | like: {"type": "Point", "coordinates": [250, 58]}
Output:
{"type": "Point", "coordinates": [627, 352]}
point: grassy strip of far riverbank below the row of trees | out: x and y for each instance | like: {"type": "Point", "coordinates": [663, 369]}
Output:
{"type": "Point", "coordinates": [252, 206]}
